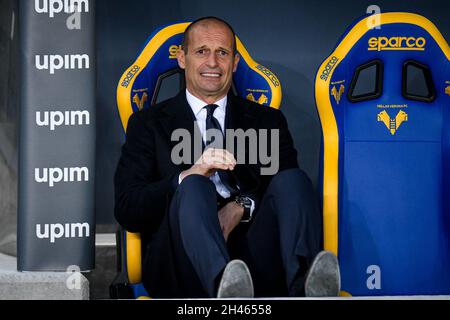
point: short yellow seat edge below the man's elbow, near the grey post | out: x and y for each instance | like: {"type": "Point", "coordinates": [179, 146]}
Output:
{"type": "Point", "coordinates": [134, 259]}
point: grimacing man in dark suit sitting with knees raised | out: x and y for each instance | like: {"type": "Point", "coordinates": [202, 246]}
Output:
{"type": "Point", "coordinates": [216, 227]}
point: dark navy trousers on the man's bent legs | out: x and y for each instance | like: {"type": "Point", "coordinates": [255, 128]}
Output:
{"type": "Point", "coordinates": [189, 252]}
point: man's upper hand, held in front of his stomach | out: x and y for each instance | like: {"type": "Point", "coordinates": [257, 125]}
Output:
{"type": "Point", "coordinates": [211, 161]}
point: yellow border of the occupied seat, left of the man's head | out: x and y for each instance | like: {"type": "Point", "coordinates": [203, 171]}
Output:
{"type": "Point", "coordinates": [124, 94]}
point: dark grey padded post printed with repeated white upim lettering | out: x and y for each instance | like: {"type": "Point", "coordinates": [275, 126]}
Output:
{"type": "Point", "coordinates": [56, 222]}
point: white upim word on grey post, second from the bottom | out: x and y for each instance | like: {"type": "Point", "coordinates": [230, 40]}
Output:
{"type": "Point", "coordinates": [56, 175]}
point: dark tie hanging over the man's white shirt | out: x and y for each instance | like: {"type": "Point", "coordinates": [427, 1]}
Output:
{"type": "Point", "coordinates": [212, 123]}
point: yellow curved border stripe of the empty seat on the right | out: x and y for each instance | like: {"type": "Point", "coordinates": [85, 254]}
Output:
{"type": "Point", "coordinates": [328, 120]}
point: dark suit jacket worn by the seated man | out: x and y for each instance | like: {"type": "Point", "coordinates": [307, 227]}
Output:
{"type": "Point", "coordinates": [146, 178]}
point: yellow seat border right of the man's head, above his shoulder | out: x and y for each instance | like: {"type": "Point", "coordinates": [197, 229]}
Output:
{"type": "Point", "coordinates": [272, 80]}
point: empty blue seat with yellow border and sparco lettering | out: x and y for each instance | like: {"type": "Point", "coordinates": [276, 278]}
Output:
{"type": "Point", "coordinates": [383, 98]}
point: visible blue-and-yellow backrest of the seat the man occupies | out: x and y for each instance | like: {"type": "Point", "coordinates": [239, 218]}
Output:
{"type": "Point", "coordinates": [142, 85]}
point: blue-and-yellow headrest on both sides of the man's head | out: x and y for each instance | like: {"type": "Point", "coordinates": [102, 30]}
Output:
{"type": "Point", "coordinates": [139, 85]}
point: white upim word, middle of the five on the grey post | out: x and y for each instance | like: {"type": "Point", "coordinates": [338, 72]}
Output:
{"type": "Point", "coordinates": [55, 119]}
